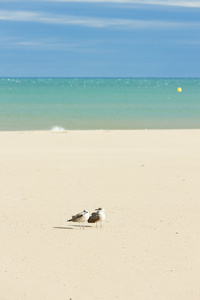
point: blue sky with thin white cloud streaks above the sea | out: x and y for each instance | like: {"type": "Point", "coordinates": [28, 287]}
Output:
{"type": "Point", "coordinates": [99, 38]}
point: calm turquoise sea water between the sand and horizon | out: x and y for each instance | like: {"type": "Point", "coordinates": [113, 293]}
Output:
{"type": "Point", "coordinates": [98, 103]}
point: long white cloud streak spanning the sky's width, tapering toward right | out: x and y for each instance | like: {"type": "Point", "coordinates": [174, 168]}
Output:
{"type": "Point", "coordinates": [27, 16]}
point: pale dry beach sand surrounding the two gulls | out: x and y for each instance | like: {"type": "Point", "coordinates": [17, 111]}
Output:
{"type": "Point", "coordinates": [148, 183]}
